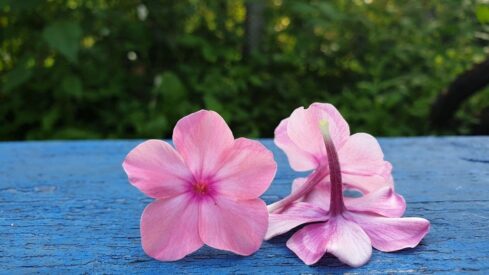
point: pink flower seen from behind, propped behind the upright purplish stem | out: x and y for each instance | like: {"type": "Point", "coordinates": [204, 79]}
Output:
{"type": "Point", "coordinates": [360, 156]}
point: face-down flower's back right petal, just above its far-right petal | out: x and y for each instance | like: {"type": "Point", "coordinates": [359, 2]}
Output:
{"type": "Point", "coordinates": [384, 202]}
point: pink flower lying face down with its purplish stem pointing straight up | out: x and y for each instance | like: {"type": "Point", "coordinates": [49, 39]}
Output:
{"type": "Point", "coordinates": [347, 227]}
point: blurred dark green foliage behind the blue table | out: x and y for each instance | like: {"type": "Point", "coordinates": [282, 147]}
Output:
{"type": "Point", "coordinates": [131, 69]}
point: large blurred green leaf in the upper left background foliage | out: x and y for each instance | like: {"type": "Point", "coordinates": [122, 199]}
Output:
{"type": "Point", "coordinates": [64, 36]}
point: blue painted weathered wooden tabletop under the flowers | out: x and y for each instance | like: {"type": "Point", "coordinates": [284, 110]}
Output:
{"type": "Point", "coordinates": [68, 207]}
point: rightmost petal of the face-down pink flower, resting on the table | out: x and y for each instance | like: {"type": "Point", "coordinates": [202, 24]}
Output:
{"type": "Point", "coordinates": [391, 234]}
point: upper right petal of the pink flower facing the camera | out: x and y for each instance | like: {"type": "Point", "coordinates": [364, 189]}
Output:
{"type": "Point", "coordinates": [248, 170]}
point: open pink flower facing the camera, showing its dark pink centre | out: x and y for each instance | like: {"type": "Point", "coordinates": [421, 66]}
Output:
{"type": "Point", "coordinates": [206, 189]}
